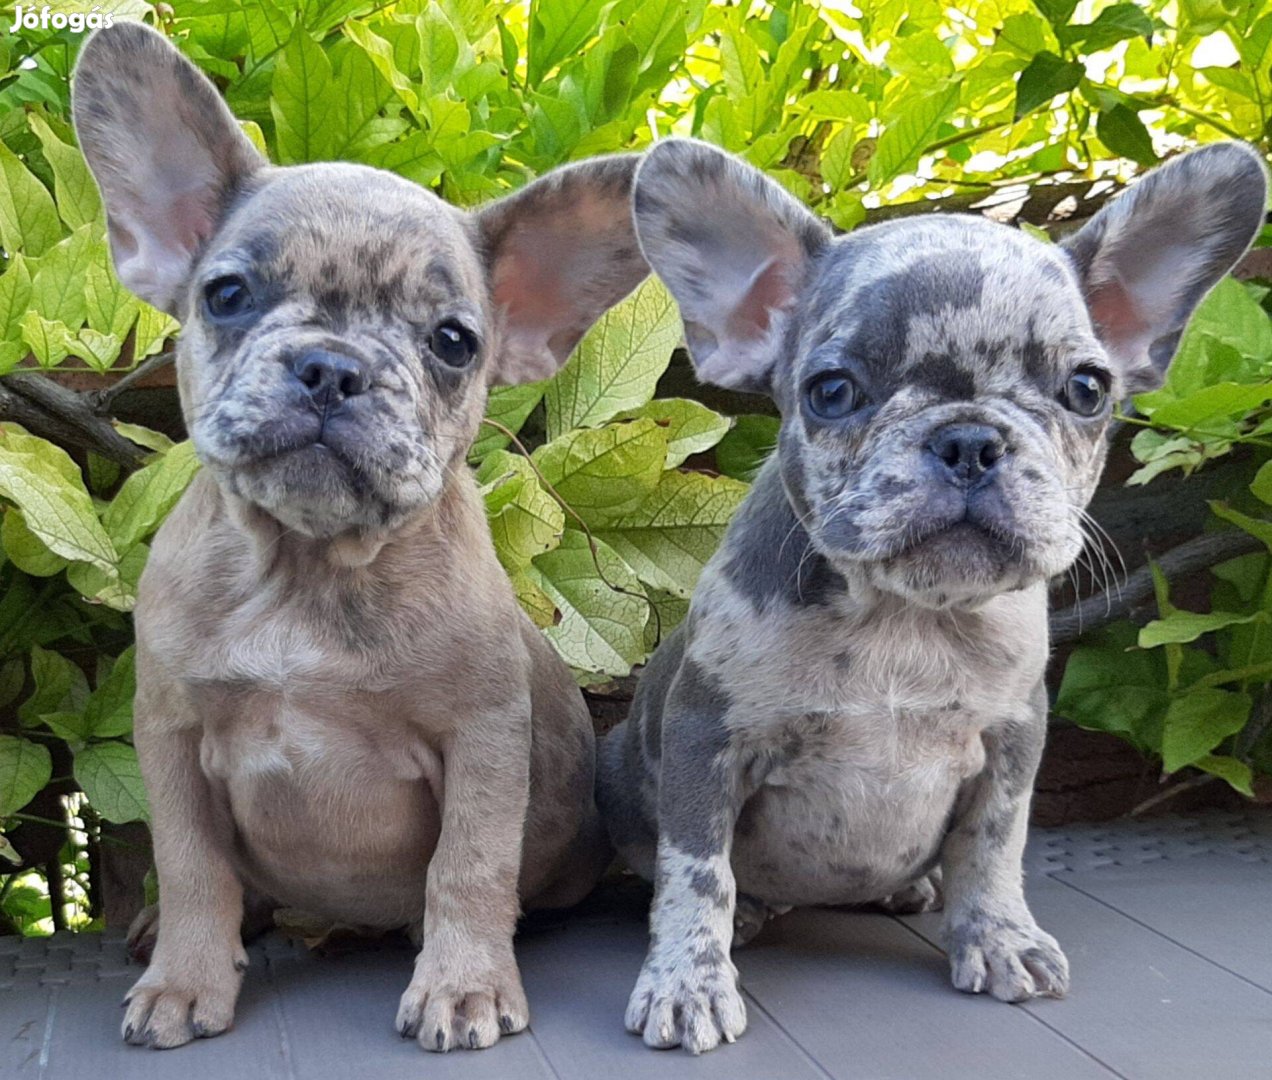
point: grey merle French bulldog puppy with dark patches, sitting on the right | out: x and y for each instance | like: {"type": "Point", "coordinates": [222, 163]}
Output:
{"type": "Point", "coordinates": [857, 694]}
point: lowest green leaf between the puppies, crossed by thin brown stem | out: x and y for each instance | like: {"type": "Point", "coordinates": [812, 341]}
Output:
{"type": "Point", "coordinates": [600, 630]}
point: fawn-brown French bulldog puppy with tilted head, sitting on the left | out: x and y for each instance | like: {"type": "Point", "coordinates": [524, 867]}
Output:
{"type": "Point", "coordinates": [340, 705]}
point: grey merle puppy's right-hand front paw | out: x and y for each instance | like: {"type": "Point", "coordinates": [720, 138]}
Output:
{"type": "Point", "coordinates": [1011, 960]}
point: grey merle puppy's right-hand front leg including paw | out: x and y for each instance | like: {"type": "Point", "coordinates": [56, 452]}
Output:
{"type": "Point", "coordinates": [990, 934]}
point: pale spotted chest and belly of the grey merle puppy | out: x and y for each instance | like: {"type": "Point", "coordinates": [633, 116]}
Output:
{"type": "Point", "coordinates": [859, 733]}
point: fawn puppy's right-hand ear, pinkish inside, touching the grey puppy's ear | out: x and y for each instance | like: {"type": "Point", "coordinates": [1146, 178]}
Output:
{"type": "Point", "coordinates": [559, 254]}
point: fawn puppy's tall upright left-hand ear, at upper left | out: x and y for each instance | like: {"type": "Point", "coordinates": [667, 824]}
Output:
{"type": "Point", "coordinates": [166, 153]}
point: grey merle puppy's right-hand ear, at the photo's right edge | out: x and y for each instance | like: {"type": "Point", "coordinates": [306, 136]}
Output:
{"type": "Point", "coordinates": [1147, 260]}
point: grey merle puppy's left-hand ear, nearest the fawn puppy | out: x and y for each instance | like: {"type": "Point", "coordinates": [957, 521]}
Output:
{"type": "Point", "coordinates": [733, 247]}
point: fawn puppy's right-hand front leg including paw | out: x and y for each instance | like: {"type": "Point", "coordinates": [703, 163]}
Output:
{"type": "Point", "coordinates": [466, 990]}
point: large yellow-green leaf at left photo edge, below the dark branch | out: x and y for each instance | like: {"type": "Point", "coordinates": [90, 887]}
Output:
{"type": "Point", "coordinates": [46, 485]}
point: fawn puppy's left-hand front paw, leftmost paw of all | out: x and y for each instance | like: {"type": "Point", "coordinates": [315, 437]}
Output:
{"type": "Point", "coordinates": [169, 1008]}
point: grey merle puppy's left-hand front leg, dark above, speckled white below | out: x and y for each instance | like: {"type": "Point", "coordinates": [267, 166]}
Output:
{"type": "Point", "coordinates": [688, 993]}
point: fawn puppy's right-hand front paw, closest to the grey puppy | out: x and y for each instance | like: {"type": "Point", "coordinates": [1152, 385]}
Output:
{"type": "Point", "coordinates": [446, 1008]}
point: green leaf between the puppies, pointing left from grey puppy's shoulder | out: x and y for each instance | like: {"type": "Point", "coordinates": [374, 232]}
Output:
{"type": "Point", "coordinates": [672, 535]}
